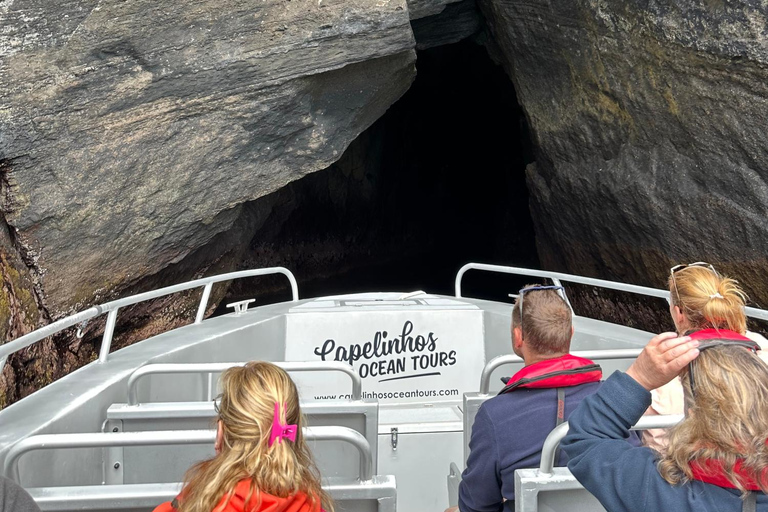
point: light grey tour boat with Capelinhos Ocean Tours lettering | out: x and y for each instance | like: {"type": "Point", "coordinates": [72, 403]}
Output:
{"type": "Point", "coordinates": [390, 384]}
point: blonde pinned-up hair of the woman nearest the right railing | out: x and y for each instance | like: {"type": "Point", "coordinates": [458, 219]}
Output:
{"type": "Point", "coordinates": [708, 300]}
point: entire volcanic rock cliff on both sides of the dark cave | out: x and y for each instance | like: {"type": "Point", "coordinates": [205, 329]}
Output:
{"type": "Point", "coordinates": [146, 143]}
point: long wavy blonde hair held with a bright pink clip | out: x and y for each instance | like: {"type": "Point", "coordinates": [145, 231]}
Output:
{"type": "Point", "coordinates": [246, 413]}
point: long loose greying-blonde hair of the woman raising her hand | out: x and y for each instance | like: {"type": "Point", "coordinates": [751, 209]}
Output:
{"type": "Point", "coordinates": [727, 420]}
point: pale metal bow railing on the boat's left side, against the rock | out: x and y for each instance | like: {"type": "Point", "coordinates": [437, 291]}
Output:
{"type": "Point", "coordinates": [112, 308]}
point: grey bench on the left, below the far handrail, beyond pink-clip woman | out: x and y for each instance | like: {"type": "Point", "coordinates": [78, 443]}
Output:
{"type": "Point", "coordinates": [142, 464]}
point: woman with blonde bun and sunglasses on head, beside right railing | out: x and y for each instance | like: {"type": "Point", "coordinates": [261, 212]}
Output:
{"type": "Point", "coordinates": [704, 302]}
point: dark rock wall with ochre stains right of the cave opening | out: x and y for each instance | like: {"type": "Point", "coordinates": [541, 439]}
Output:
{"type": "Point", "coordinates": [648, 120]}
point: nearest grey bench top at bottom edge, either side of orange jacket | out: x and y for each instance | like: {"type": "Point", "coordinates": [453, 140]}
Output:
{"type": "Point", "coordinates": [350, 495]}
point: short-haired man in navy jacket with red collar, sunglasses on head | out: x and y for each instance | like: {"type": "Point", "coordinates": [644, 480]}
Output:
{"type": "Point", "coordinates": [510, 429]}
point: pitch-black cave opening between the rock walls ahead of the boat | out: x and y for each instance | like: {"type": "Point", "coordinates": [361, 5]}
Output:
{"type": "Point", "coordinates": [436, 182]}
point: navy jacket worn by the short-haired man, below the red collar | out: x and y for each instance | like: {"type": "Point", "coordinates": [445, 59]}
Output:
{"type": "Point", "coordinates": [508, 434]}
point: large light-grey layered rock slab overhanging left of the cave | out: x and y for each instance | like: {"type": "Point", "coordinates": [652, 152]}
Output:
{"type": "Point", "coordinates": [131, 133]}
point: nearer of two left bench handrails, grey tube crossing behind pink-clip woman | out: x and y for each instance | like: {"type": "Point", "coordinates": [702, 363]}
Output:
{"type": "Point", "coordinates": [171, 437]}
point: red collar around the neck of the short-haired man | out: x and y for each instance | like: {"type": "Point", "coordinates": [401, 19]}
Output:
{"type": "Point", "coordinates": [564, 371]}
